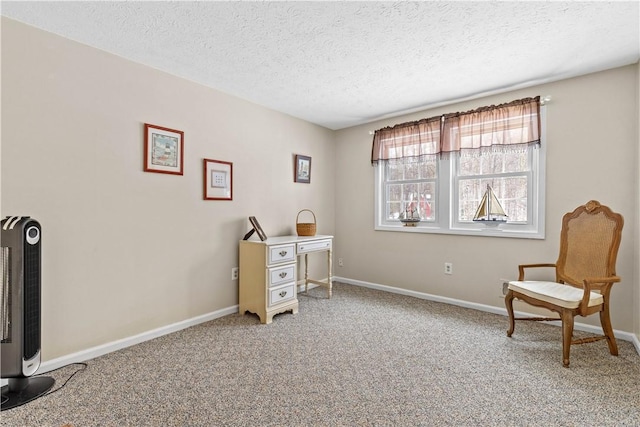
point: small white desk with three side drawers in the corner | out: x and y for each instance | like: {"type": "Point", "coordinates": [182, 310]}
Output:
{"type": "Point", "coordinates": [268, 273]}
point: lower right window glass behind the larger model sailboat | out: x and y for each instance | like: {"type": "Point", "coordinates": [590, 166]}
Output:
{"type": "Point", "coordinates": [510, 191]}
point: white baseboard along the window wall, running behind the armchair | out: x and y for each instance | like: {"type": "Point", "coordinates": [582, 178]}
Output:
{"type": "Point", "coordinates": [622, 335]}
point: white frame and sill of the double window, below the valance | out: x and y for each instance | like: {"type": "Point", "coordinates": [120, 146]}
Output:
{"type": "Point", "coordinates": [446, 218]}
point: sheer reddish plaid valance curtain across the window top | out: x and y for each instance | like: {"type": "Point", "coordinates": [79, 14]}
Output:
{"type": "Point", "coordinates": [507, 126]}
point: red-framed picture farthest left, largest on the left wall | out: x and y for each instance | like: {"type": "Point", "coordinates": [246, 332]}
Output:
{"type": "Point", "coordinates": [163, 149]}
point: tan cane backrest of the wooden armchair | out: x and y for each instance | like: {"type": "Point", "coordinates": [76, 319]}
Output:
{"type": "Point", "coordinates": [589, 243]}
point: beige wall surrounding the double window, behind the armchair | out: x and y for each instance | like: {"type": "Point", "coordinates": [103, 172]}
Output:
{"type": "Point", "coordinates": [592, 153]}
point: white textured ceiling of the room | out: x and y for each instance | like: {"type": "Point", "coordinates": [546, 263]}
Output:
{"type": "Point", "coordinates": [339, 64]}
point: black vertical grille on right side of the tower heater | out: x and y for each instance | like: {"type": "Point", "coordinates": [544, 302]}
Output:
{"type": "Point", "coordinates": [31, 300]}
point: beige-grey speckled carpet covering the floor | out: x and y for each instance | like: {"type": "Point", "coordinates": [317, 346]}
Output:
{"type": "Point", "coordinates": [363, 358]}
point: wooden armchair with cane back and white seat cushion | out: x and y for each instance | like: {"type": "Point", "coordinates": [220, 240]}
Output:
{"type": "Point", "coordinates": [585, 272]}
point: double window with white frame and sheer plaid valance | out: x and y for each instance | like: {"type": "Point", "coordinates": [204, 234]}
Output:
{"type": "Point", "coordinates": [444, 188]}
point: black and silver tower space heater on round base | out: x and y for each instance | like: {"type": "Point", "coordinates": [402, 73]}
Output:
{"type": "Point", "coordinates": [20, 311]}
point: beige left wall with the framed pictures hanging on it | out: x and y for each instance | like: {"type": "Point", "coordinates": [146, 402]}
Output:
{"type": "Point", "coordinates": [125, 251]}
